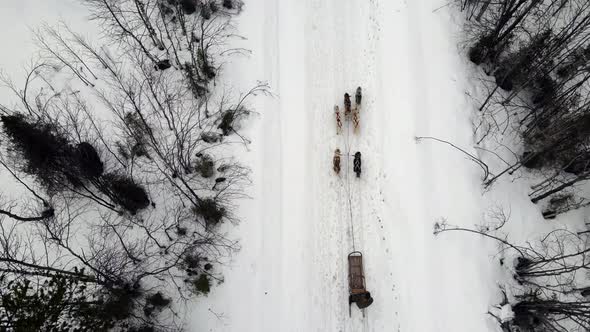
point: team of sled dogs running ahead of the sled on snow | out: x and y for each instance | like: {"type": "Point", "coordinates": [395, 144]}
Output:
{"type": "Point", "coordinates": [350, 114]}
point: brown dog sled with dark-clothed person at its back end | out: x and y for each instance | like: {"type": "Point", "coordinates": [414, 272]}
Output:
{"type": "Point", "coordinates": [356, 283]}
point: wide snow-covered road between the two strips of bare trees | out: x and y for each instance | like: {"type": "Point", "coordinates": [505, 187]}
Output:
{"type": "Point", "coordinates": [291, 274]}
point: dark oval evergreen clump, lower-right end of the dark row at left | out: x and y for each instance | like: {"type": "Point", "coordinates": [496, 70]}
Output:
{"type": "Point", "coordinates": [123, 190]}
